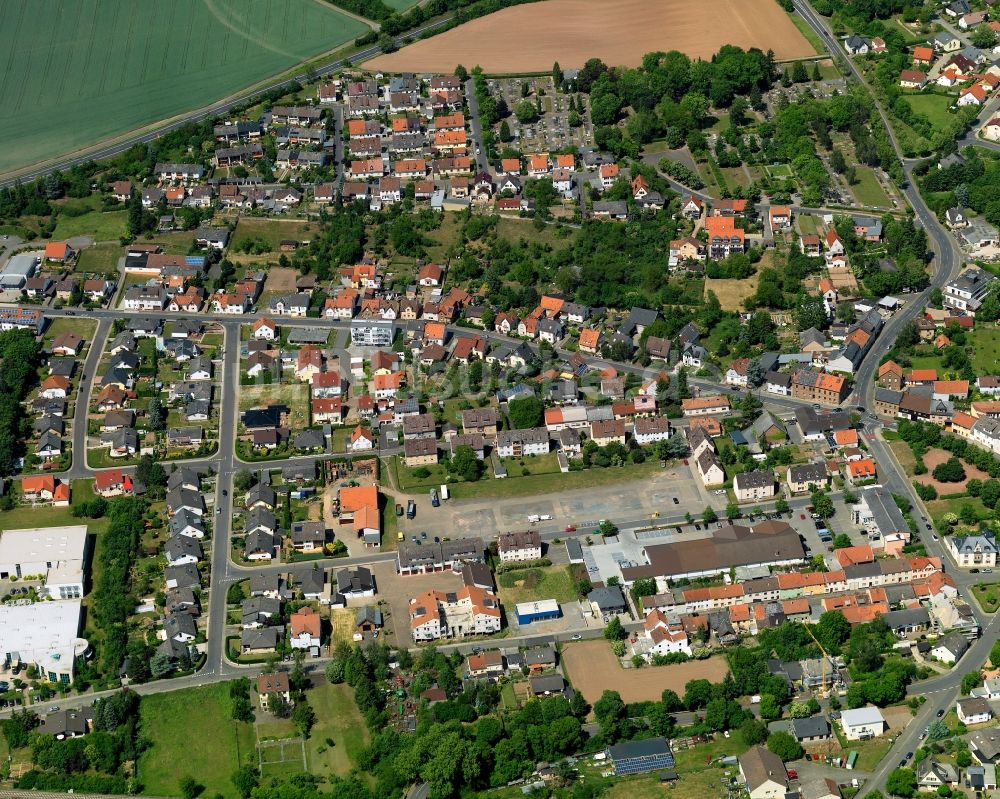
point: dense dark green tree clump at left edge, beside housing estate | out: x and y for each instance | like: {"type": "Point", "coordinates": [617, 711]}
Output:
{"type": "Point", "coordinates": [19, 353]}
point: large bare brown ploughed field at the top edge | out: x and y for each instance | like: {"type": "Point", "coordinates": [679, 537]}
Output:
{"type": "Point", "coordinates": [619, 33]}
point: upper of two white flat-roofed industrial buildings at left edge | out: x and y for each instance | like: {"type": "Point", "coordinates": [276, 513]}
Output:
{"type": "Point", "coordinates": [54, 555]}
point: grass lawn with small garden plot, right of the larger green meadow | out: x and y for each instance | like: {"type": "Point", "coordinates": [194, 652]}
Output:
{"type": "Point", "coordinates": [338, 720]}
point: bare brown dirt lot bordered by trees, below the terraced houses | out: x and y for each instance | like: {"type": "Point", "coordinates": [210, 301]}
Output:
{"type": "Point", "coordinates": [592, 668]}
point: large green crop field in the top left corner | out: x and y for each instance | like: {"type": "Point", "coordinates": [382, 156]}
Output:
{"type": "Point", "coordinates": [76, 73]}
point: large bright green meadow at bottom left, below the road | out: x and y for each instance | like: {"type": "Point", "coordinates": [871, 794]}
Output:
{"type": "Point", "coordinates": [167, 721]}
